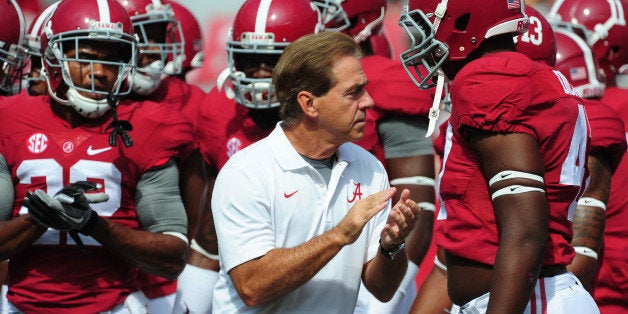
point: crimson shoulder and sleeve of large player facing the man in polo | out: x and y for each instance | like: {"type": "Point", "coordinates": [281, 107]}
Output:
{"type": "Point", "coordinates": [497, 95]}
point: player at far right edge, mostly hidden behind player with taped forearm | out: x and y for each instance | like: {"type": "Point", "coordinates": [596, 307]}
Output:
{"type": "Point", "coordinates": [603, 26]}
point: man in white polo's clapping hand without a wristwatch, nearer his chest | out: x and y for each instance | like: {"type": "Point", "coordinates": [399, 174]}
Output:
{"type": "Point", "coordinates": [363, 210]}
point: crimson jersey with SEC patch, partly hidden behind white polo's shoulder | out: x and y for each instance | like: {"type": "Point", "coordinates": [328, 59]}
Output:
{"type": "Point", "coordinates": [223, 128]}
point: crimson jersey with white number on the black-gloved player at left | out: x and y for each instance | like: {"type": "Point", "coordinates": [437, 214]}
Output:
{"type": "Point", "coordinates": [45, 152]}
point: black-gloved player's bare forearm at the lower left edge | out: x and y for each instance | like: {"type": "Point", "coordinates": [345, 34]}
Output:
{"type": "Point", "coordinates": [18, 233]}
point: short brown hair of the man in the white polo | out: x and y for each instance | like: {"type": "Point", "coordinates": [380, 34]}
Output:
{"type": "Point", "coordinates": [306, 65]}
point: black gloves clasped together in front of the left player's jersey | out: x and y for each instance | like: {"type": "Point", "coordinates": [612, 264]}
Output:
{"type": "Point", "coordinates": [68, 210]}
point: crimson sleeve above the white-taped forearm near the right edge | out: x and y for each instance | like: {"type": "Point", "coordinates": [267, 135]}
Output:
{"type": "Point", "coordinates": [607, 131]}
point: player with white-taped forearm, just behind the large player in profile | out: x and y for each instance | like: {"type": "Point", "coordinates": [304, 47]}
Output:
{"type": "Point", "coordinates": [579, 65]}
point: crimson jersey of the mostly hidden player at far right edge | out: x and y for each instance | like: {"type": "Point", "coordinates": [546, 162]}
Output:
{"type": "Point", "coordinates": [611, 289]}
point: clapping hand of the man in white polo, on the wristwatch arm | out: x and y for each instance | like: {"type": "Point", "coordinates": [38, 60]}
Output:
{"type": "Point", "coordinates": [401, 221]}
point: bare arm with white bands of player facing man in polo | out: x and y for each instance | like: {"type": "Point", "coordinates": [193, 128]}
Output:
{"type": "Point", "coordinates": [522, 219]}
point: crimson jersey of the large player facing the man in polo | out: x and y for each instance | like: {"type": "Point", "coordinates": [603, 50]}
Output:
{"type": "Point", "coordinates": [506, 92]}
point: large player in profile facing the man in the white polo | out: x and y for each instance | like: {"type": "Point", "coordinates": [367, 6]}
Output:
{"type": "Point", "coordinates": [514, 160]}
